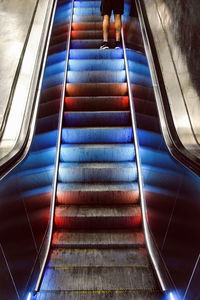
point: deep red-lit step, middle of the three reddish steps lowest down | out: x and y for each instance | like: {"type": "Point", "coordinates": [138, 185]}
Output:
{"type": "Point", "coordinates": [98, 217]}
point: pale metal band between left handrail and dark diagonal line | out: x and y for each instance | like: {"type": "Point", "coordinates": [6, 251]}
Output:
{"type": "Point", "coordinates": [25, 87]}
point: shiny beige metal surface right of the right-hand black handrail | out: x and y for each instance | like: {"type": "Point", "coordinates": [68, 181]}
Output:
{"type": "Point", "coordinates": [177, 75]}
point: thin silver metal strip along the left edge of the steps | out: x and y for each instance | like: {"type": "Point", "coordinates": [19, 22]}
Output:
{"type": "Point", "coordinates": [53, 198]}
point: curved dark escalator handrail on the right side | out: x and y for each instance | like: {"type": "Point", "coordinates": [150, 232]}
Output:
{"type": "Point", "coordinates": [173, 142]}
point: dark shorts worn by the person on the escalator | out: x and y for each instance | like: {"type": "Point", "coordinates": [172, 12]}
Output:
{"type": "Point", "coordinates": [107, 6]}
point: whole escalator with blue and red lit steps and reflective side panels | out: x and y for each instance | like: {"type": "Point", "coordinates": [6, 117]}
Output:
{"type": "Point", "coordinates": [98, 247]}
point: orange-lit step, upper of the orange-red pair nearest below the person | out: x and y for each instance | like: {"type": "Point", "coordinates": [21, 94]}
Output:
{"type": "Point", "coordinates": [96, 89]}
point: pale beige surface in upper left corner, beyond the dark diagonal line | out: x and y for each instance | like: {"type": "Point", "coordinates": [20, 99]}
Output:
{"type": "Point", "coordinates": [15, 19]}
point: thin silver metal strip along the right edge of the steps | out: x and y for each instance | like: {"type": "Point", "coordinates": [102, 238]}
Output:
{"type": "Point", "coordinates": [165, 282]}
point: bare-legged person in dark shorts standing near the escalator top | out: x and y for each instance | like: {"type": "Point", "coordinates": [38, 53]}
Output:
{"type": "Point", "coordinates": [106, 8]}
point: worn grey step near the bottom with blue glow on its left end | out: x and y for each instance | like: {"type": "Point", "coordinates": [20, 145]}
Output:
{"type": "Point", "coordinates": [88, 279]}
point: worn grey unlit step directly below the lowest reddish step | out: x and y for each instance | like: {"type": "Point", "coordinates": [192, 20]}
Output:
{"type": "Point", "coordinates": [98, 257]}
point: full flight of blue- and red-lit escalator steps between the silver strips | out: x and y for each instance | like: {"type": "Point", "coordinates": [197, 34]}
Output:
{"type": "Point", "coordinates": [98, 248]}
